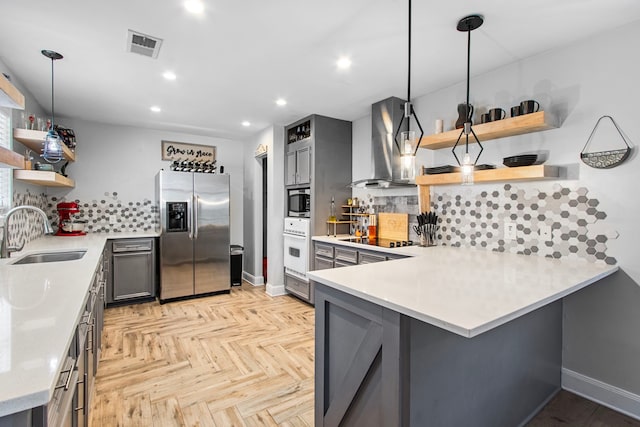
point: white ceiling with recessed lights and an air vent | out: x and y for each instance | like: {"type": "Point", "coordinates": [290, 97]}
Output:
{"type": "Point", "coordinates": [236, 59]}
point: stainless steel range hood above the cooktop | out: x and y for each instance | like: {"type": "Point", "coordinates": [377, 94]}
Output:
{"type": "Point", "coordinates": [386, 116]}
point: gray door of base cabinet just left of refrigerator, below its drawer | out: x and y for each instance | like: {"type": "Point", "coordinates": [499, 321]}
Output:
{"type": "Point", "coordinates": [132, 275]}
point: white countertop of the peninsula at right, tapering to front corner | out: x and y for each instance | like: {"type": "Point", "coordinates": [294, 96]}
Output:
{"type": "Point", "coordinates": [464, 291]}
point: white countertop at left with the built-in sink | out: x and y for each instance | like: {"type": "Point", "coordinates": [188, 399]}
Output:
{"type": "Point", "coordinates": [40, 305]}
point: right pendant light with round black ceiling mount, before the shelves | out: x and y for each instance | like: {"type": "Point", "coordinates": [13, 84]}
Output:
{"type": "Point", "coordinates": [468, 24]}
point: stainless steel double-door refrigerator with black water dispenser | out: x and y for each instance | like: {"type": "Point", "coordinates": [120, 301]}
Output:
{"type": "Point", "coordinates": [194, 244]}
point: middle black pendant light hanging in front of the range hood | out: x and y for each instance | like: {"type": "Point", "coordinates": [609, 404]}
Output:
{"type": "Point", "coordinates": [408, 144]}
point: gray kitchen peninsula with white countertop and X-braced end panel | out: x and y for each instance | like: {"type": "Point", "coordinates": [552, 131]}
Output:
{"type": "Point", "coordinates": [447, 337]}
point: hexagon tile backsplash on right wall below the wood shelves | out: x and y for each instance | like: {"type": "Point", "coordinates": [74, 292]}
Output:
{"type": "Point", "coordinates": [552, 220]}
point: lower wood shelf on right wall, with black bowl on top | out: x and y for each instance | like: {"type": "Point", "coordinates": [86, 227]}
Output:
{"type": "Point", "coordinates": [522, 173]}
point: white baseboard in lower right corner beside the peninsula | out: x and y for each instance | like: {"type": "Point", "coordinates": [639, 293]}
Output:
{"type": "Point", "coordinates": [605, 394]}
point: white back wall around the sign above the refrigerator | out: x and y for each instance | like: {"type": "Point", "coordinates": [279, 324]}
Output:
{"type": "Point", "coordinates": [126, 160]}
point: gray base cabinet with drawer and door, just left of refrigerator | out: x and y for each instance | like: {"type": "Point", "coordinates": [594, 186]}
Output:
{"type": "Point", "coordinates": [132, 272]}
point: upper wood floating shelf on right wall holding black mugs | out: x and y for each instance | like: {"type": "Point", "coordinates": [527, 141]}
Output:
{"type": "Point", "coordinates": [528, 123]}
